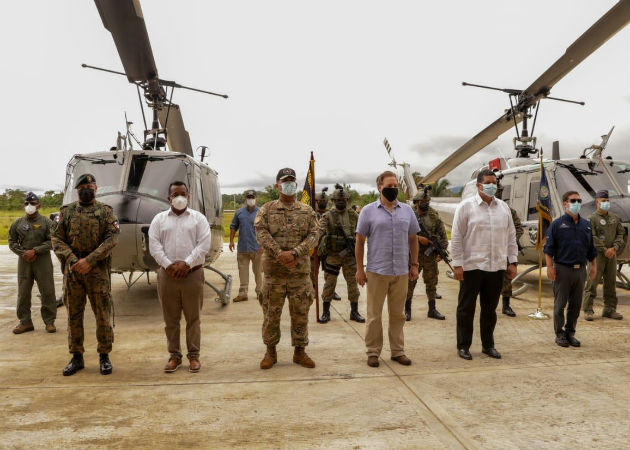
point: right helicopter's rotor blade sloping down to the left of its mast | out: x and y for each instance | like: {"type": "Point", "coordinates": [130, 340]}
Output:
{"type": "Point", "coordinates": [476, 143]}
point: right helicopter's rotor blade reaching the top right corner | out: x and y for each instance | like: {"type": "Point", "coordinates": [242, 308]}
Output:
{"type": "Point", "coordinates": [606, 27]}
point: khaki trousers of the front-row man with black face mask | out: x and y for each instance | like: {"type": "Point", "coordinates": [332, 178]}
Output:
{"type": "Point", "coordinates": [395, 289]}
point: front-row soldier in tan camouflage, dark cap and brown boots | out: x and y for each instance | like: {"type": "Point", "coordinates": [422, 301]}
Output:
{"type": "Point", "coordinates": [286, 230]}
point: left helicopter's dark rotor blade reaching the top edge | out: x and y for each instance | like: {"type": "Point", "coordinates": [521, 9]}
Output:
{"type": "Point", "coordinates": [124, 20]}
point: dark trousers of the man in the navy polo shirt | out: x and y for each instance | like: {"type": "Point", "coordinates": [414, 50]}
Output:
{"type": "Point", "coordinates": [567, 291]}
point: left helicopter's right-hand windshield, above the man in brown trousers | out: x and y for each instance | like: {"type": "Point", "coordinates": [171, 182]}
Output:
{"type": "Point", "coordinates": [151, 175]}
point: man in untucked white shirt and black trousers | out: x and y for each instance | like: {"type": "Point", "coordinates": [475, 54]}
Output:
{"type": "Point", "coordinates": [483, 243]}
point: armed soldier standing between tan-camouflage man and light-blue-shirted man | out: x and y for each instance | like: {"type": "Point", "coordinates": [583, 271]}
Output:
{"type": "Point", "coordinates": [336, 246]}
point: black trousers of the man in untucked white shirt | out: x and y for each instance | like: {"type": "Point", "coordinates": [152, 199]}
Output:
{"type": "Point", "coordinates": [486, 285]}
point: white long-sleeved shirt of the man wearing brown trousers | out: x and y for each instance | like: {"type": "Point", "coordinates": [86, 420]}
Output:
{"type": "Point", "coordinates": [179, 238]}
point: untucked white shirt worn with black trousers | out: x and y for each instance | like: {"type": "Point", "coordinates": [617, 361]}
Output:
{"type": "Point", "coordinates": [483, 236]}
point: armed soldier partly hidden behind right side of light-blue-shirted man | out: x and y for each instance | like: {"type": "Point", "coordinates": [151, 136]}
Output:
{"type": "Point", "coordinates": [430, 225]}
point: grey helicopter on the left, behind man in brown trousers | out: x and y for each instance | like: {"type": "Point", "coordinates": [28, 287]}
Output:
{"type": "Point", "coordinates": [134, 182]}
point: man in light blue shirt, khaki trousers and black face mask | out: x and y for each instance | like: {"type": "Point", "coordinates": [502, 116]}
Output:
{"type": "Point", "coordinates": [391, 228]}
